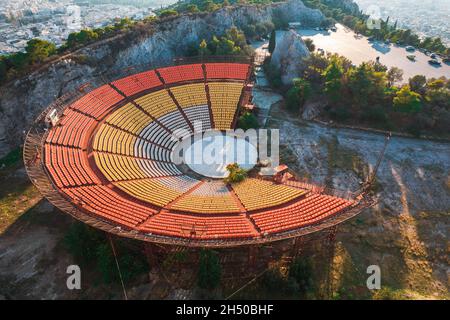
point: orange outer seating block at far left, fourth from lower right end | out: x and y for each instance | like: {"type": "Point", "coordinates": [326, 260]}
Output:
{"type": "Point", "coordinates": [68, 166]}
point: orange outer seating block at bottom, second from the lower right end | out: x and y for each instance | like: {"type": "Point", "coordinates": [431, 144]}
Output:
{"type": "Point", "coordinates": [199, 227]}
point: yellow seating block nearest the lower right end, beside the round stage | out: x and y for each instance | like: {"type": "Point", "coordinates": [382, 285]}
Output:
{"type": "Point", "coordinates": [258, 194]}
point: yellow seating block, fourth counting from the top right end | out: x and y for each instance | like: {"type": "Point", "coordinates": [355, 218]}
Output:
{"type": "Point", "coordinates": [129, 118]}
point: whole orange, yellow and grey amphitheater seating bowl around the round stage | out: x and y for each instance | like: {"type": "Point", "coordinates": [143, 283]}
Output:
{"type": "Point", "coordinates": [103, 155]}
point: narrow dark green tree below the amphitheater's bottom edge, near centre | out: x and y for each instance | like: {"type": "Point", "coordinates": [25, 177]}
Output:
{"type": "Point", "coordinates": [210, 272]}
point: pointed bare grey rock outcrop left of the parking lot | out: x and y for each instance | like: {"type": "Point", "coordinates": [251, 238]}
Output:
{"type": "Point", "coordinates": [289, 54]}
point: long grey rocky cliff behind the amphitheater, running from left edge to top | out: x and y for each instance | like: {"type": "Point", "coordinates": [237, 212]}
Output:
{"type": "Point", "coordinates": [23, 99]}
